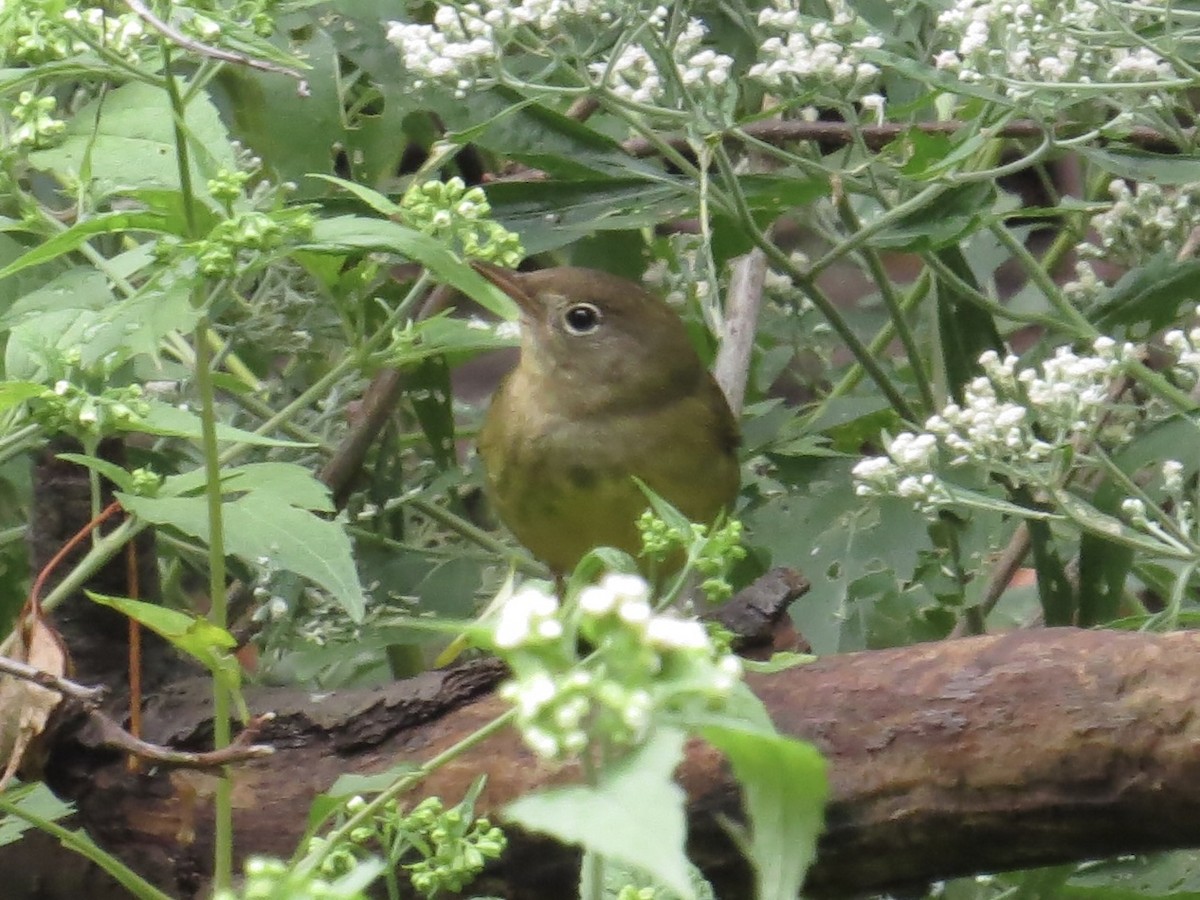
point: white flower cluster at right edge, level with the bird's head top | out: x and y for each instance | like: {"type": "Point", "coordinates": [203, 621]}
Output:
{"type": "Point", "coordinates": [1144, 221]}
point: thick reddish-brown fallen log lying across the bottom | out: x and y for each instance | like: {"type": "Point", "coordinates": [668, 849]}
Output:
{"type": "Point", "coordinates": [945, 759]}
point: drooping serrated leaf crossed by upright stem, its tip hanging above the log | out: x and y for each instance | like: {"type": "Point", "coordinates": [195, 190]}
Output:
{"type": "Point", "coordinates": [265, 532]}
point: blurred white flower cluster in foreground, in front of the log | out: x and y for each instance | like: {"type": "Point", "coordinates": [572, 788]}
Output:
{"type": "Point", "coordinates": [643, 663]}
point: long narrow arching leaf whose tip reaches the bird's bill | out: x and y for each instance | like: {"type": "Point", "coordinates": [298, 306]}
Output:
{"type": "Point", "coordinates": [362, 233]}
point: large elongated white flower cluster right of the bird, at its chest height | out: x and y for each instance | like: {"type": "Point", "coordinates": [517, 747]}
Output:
{"type": "Point", "coordinates": [1011, 421]}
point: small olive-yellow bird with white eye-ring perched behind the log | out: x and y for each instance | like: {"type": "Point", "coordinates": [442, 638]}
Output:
{"type": "Point", "coordinates": [608, 388]}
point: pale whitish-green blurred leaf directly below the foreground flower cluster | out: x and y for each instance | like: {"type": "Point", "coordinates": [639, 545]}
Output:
{"type": "Point", "coordinates": [635, 814]}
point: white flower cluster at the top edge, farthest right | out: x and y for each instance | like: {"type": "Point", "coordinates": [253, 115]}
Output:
{"type": "Point", "coordinates": [1023, 45]}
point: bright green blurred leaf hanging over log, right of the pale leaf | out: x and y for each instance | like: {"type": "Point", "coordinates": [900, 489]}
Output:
{"type": "Point", "coordinates": [784, 790]}
